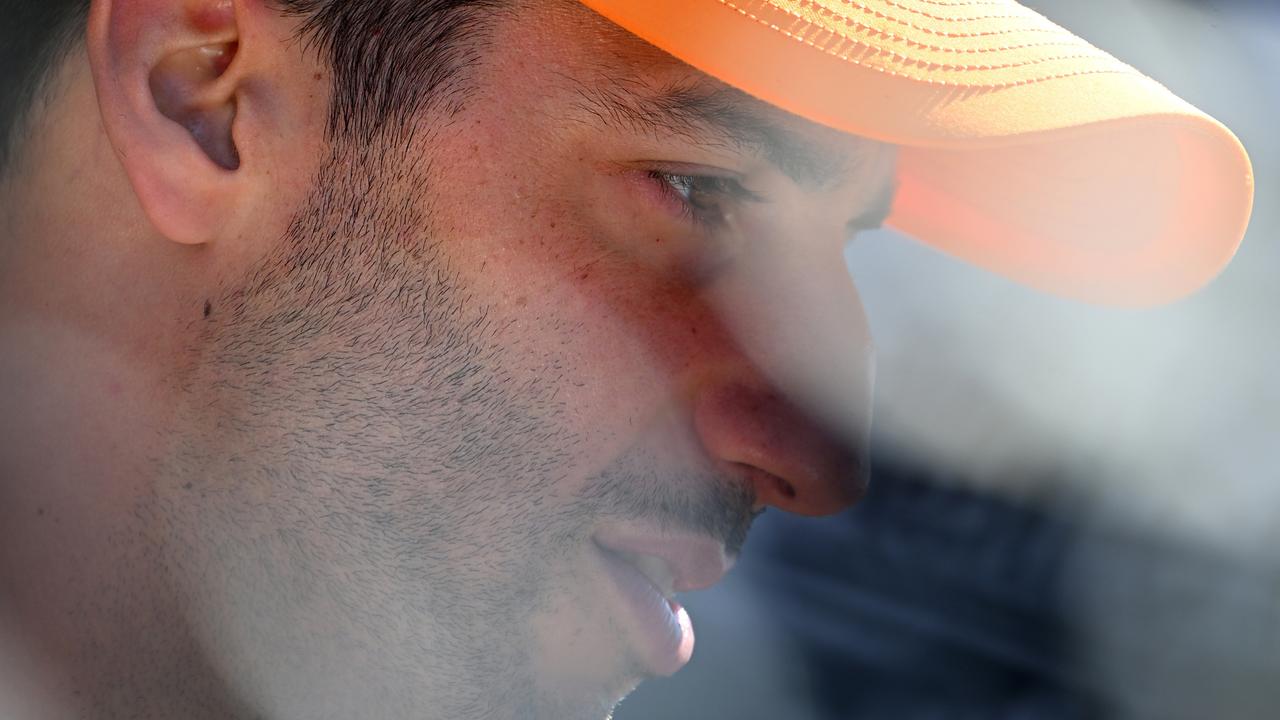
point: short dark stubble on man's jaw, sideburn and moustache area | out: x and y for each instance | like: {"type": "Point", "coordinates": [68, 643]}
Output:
{"type": "Point", "coordinates": [362, 495]}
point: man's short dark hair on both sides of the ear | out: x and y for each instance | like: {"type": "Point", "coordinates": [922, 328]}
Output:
{"type": "Point", "coordinates": [391, 58]}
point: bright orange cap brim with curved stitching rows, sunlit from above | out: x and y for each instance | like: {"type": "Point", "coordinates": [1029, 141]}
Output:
{"type": "Point", "coordinates": [1025, 149]}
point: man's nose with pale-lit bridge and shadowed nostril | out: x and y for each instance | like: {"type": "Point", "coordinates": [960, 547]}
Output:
{"type": "Point", "coordinates": [797, 422]}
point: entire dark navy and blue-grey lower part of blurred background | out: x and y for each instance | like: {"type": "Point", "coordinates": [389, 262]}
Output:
{"type": "Point", "coordinates": [932, 601]}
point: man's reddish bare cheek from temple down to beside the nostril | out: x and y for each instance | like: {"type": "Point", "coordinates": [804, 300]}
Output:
{"type": "Point", "coordinates": [580, 294]}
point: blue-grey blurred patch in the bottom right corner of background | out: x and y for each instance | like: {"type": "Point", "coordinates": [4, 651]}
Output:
{"type": "Point", "coordinates": [1173, 631]}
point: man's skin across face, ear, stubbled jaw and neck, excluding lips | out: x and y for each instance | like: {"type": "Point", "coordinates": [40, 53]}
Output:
{"type": "Point", "coordinates": [312, 430]}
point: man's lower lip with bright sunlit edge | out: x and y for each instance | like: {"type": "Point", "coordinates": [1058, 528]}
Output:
{"type": "Point", "coordinates": [665, 635]}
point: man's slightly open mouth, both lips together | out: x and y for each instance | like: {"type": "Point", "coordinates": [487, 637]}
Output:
{"type": "Point", "coordinates": [648, 568]}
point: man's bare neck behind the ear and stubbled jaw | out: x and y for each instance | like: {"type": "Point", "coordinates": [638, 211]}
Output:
{"type": "Point", "coordinates": [86, 622]}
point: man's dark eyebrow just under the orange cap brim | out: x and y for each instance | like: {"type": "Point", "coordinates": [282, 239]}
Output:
{"type": "Point", "coordinates": [714, 116]}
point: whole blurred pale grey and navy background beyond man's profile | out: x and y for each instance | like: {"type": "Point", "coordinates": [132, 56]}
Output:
{"type": "Point", "coordinates": [1076, 512]}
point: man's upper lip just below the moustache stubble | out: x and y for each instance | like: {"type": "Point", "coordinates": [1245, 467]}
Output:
{"type": "Point", "coordinates": [692, 562]}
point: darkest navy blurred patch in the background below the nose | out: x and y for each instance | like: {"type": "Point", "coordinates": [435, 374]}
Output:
{"type": "Point", "coordinates": [930, 603]}
